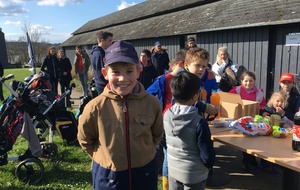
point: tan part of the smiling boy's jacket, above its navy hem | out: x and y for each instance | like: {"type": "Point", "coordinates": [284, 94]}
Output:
{"type": "Point", "coordinates": [102, 129]}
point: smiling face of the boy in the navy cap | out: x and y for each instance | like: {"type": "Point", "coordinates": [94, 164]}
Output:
{"type": "Point", "coordinates": [122, 77]}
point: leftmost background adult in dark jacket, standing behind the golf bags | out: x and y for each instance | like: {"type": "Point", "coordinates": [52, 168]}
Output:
{"type": "Point", "coordinates": [51, 66]}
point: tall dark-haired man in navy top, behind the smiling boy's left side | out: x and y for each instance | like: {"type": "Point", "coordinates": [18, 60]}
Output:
{"type": "Point", "coordinates": [98, 53]}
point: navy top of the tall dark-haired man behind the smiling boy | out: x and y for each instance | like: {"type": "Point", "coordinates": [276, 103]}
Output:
{"type": "Point", "coordinates": [98, 55]}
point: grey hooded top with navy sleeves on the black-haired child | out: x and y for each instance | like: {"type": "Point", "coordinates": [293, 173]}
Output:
{"type": "Point", "coordinates": [190, 149]}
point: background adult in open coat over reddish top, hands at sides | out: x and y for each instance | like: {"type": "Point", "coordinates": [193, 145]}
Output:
{"type": "Point", "coordinates": [82, 63]}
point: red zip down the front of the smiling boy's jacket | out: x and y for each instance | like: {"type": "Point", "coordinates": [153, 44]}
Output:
{"type": "Point", "coordinates": [125, 110]}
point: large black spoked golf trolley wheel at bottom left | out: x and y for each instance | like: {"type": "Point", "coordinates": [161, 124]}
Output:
{"type": "Point", "coordinates": [30, 170]}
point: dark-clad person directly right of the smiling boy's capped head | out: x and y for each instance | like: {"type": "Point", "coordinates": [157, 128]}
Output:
{"type": "Point", "coordinates": [148, 71]}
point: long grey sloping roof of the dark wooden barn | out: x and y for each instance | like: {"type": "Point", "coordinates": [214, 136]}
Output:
{"type": "Point", "coordinates": [212, 16]}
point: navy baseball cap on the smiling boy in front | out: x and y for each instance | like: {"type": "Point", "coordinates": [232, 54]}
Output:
{"type": "Point", "coordinates": [121, 51]}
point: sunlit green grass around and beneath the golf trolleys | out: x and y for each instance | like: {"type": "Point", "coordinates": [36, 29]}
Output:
{"type": "Point", "coordinates": [71, 169]}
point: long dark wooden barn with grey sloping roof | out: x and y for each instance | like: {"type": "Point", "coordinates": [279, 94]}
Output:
{"type": "Point", "coordinates": [255, 32]}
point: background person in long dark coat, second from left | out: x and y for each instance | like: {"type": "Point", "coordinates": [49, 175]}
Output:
{"type": "Point", "coordinates": [65, 75]}
